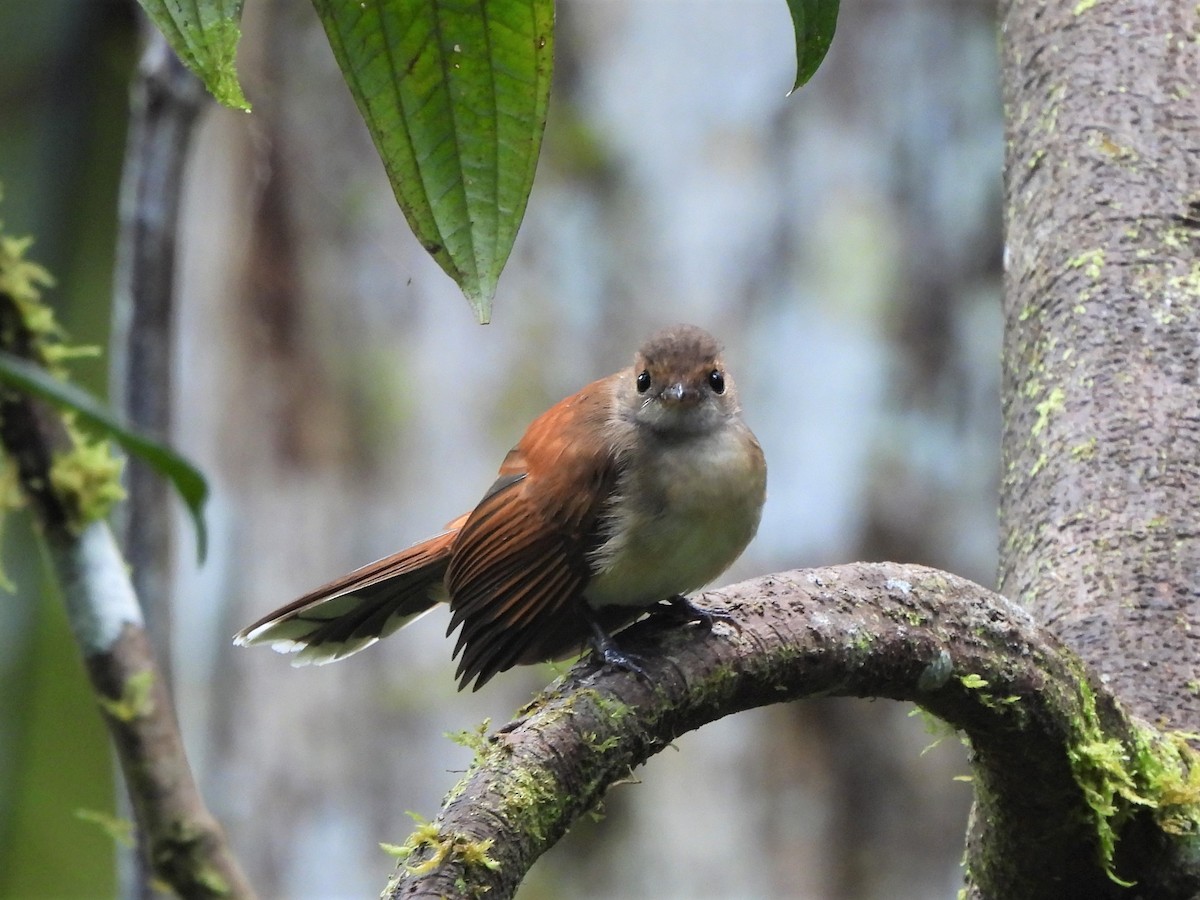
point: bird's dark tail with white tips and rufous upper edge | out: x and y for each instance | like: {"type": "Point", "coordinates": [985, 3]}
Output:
{"type": "Point", "coordinates": [357, 610]}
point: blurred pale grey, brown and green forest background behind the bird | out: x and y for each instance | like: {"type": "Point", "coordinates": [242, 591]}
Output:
{"type": "Point", "coordinates": [844, 243]}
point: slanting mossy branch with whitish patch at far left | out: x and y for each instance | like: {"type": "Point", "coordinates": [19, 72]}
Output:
{"type": "Point", "coordinates": [184, 844]}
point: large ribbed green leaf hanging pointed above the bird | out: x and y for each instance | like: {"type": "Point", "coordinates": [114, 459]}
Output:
{"type": "Point", "coordinates": [455, 97]}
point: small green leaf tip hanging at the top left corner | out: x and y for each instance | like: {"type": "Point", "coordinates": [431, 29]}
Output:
{"type": "Point", "coordinates": [205, 34]}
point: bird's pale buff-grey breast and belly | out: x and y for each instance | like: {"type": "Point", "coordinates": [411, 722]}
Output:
{"type": "Point", "coordinates": [680, 517]}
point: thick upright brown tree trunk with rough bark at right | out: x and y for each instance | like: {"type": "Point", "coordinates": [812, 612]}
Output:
{"type": "Point", "coordinates": [1102, 350]}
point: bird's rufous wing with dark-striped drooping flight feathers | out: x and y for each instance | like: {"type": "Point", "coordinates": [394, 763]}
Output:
{"type": "Point", "coordinates": [520, 563]}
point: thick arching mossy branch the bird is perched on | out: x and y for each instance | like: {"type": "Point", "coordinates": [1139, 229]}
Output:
{"type": "Point", "coordinates": [1033, 715]}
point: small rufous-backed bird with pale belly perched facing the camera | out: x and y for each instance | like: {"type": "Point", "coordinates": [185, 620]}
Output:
{"type": "Point", "coordinates": [619, 501]}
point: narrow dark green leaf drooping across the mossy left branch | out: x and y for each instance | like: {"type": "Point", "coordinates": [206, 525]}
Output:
{"type": "Point", "coordinates": [189, 483]}
